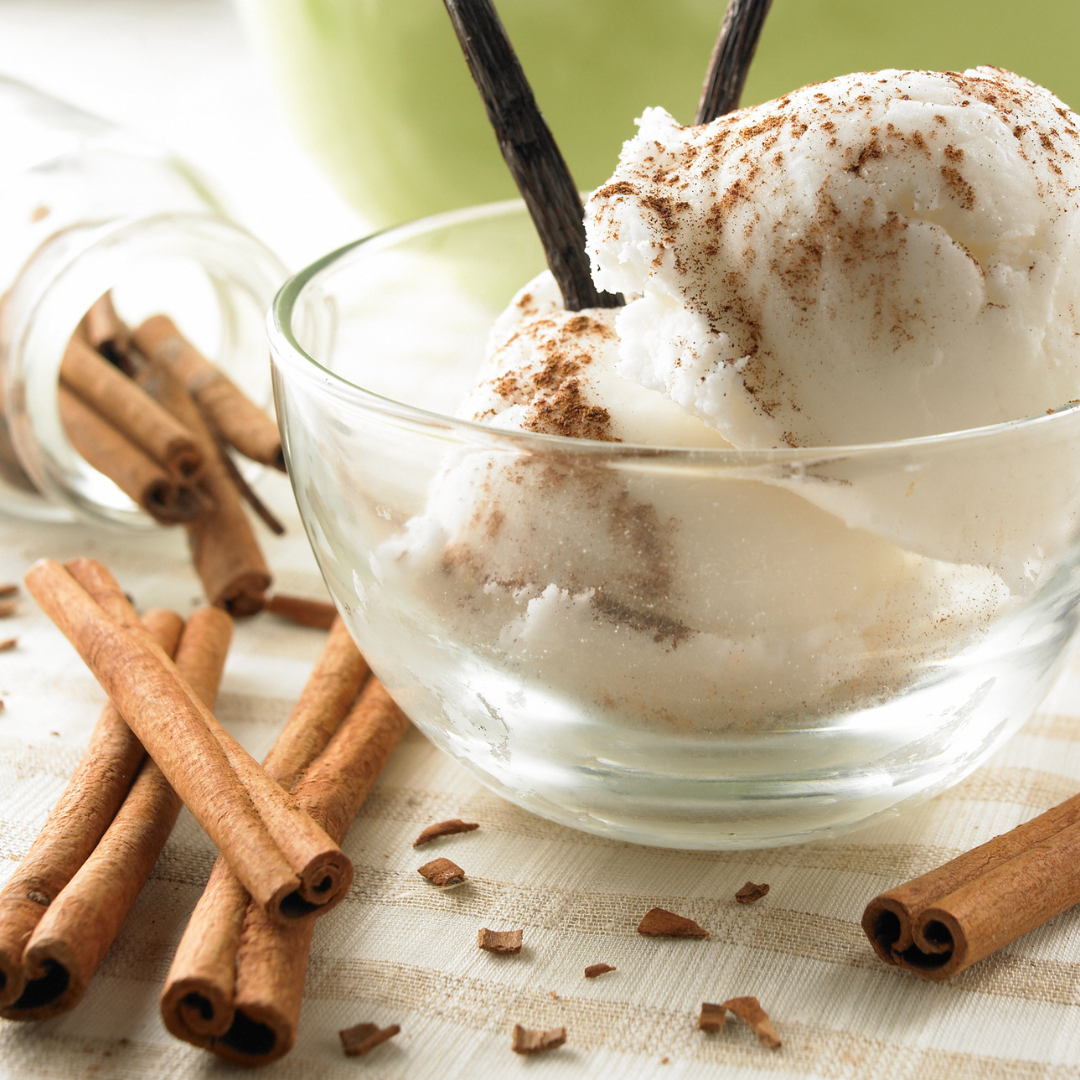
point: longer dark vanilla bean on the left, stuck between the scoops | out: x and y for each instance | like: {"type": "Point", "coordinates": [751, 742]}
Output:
{"type": "Point", "coordinates": [530, 151]}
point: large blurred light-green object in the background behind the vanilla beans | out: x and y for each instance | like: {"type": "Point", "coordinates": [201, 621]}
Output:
{"type": "Point", "coordinates": [380, 91]}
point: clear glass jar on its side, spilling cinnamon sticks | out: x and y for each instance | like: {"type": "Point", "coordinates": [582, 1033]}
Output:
{"type": "Point", "coordinates": [89, 209]}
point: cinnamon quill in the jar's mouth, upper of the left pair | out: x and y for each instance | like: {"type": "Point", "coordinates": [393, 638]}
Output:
{"type": "Point", "coordinates": [131, 411]}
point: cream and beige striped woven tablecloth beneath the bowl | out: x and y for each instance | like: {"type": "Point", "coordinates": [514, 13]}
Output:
{"type": "Point", "coordinates": [400, 952]}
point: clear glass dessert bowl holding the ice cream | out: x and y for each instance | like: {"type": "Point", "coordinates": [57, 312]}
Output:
{"type": "Point", "coordinates": [696, 649]}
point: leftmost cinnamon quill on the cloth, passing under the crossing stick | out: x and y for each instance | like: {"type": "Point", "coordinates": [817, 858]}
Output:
{"type": "Point", "coordinates": [76, 825]}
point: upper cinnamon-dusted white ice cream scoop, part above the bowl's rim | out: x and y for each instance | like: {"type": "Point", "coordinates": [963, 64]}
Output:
{"type": "Point", "coordinates": [877, 258]}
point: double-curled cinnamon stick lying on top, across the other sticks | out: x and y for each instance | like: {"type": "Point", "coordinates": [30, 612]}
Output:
{"type": "Point", "coordinates": [288, 863]}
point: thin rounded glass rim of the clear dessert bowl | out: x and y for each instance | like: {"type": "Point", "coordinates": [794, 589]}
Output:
{"type": "Point", "coordinates": [288, 352]}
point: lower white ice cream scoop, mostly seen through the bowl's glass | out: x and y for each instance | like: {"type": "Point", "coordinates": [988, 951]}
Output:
{"type": "Point", "coordinates": [694, 599]}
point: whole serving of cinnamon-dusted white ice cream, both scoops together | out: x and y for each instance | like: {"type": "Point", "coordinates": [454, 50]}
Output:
{"type": "Point", "coordinates": [882, 258]}
